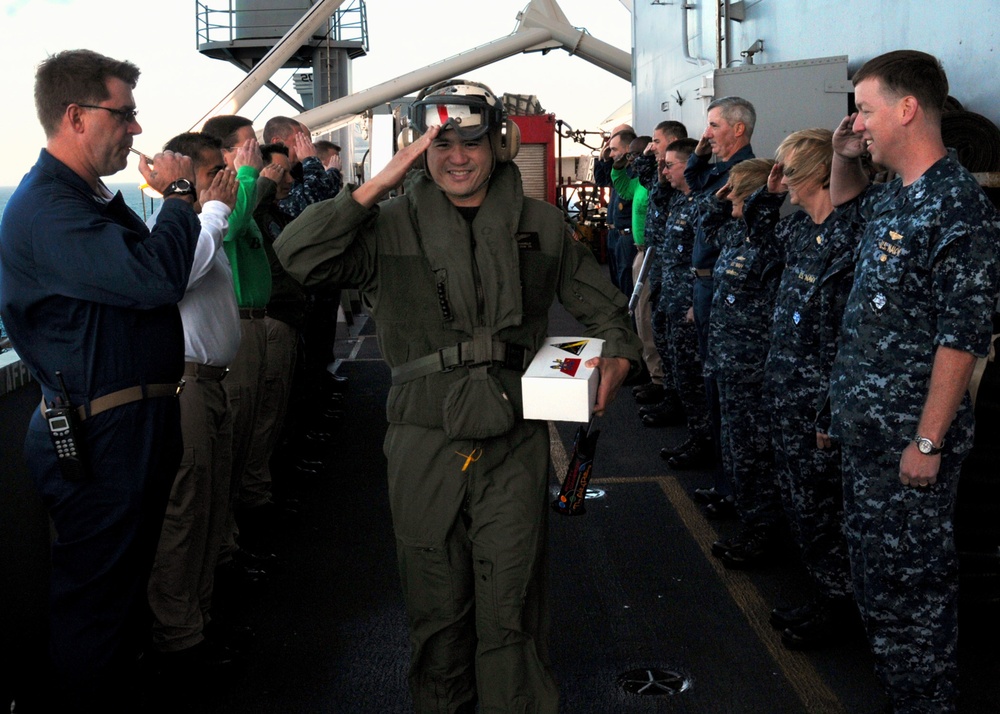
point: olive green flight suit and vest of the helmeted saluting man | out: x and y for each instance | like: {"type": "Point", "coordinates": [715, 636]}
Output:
{"type": "Point", "coordinates": [468, 476]}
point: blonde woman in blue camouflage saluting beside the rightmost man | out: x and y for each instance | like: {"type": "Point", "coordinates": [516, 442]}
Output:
{"type": "Point", "coordinates": [819, 245]}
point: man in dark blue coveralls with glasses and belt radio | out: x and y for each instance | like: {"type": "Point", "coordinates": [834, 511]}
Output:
{"type": "Point", "coordinates": [89, 296]}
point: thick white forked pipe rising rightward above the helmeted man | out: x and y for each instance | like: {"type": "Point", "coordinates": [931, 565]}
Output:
{"type": "Point", "coordinates": [541, 26]}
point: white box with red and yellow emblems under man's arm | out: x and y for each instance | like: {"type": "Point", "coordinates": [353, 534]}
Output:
{"type": "Point", "coordinates": [556, 386]}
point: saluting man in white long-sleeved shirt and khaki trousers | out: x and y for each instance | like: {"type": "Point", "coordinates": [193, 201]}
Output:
{"type": "Point", "coordinates": [180, 588]}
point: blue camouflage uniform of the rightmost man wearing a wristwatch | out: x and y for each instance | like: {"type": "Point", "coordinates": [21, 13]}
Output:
{"type": "Point", "coordinates": [926, 277]}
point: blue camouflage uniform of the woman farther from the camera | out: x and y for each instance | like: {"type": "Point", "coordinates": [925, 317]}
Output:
{"type": "Point", "coordinates": [746, 279]}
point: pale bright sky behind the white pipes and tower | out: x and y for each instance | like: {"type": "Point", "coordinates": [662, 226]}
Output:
{"type": "Point", "coordinates": [178, 85]}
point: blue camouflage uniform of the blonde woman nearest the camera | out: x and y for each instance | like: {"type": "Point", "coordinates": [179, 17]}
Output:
{"type": "Point", "coordinates": [819, 271]}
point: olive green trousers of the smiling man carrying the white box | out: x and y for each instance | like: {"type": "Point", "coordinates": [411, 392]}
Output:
{"type": "Point", "coordinates": [472, 559]}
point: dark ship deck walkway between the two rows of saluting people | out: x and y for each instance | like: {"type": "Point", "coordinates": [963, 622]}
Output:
{"type": "Point", "coordinates": [634, 588]}
